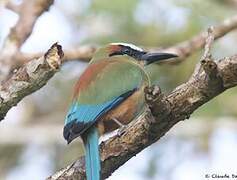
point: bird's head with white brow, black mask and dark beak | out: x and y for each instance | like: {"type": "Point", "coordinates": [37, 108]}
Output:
{"type": "Point", "coordinates": [137, 53]}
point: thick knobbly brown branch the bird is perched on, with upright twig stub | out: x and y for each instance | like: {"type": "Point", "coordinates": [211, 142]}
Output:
{"type": "Point", "coordinates": [209, 79]}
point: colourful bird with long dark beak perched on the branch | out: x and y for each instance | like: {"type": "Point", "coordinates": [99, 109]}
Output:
{"type": "Point", "coordinates": [108, 94]}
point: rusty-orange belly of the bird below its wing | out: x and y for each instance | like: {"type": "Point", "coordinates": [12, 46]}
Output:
{"type": "Point", "coordinates": [124, 113]}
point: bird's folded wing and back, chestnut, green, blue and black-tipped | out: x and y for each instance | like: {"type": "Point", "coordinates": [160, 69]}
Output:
{"type": "Point", "coordinates": [101, 87]}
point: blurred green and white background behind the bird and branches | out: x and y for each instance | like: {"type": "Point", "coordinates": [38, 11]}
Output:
{"type": "Point", "coordinates": [32, 146]}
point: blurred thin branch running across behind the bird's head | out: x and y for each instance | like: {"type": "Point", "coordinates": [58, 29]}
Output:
{"type": "Point", "coordinates": [183, 49]}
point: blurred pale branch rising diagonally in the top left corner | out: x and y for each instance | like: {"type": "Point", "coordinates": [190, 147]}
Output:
{"type": "Point", "coordinates": [28, 11]}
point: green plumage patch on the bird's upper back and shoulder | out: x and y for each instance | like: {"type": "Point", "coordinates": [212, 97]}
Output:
{"type": "Point", "coordinates": [118, 76]}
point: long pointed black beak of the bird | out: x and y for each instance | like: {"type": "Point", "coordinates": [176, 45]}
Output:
{"type": "Point", "coordinates": [150, 58]}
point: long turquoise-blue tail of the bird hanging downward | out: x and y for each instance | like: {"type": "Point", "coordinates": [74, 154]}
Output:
{"type": "Point", "coordinates": [91, 141]}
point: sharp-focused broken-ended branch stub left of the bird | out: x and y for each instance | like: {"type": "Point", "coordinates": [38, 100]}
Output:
{"type": "Point", "coordinates": [29, 78]}
